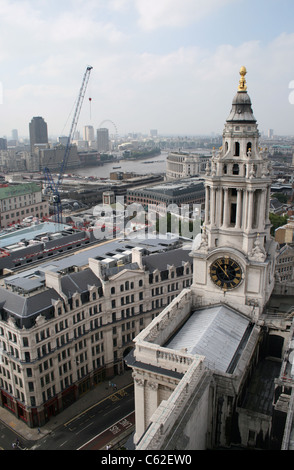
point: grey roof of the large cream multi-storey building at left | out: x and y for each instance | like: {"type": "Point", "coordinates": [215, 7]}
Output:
{"type": "Point", "coordinates": [26, 295]}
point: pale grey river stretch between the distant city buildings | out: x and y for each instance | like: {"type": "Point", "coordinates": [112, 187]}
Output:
{"type": "Point", "coordinates": [155, 164]}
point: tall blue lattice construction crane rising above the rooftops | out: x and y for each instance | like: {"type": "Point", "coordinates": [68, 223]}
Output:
{"type": "Point", "coordinates": [50, 184]}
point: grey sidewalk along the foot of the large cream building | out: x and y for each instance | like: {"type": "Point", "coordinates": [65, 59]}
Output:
{"type": "Point", "coordinates": [100, 392]}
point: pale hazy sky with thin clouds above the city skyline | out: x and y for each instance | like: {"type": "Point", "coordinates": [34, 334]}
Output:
{"type": "Point", "coordinates": [170, 65]}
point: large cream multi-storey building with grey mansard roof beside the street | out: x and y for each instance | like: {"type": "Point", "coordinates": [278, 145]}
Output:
{"type": "Point", "coordinates": [67, 324]}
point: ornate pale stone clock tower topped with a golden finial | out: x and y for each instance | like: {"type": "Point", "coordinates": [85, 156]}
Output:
{"type": "Point", "coordinates": [235, 261]}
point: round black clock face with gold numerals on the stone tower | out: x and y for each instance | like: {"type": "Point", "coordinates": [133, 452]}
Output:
{"type": "Point", "coordinates": [226, 273]}
